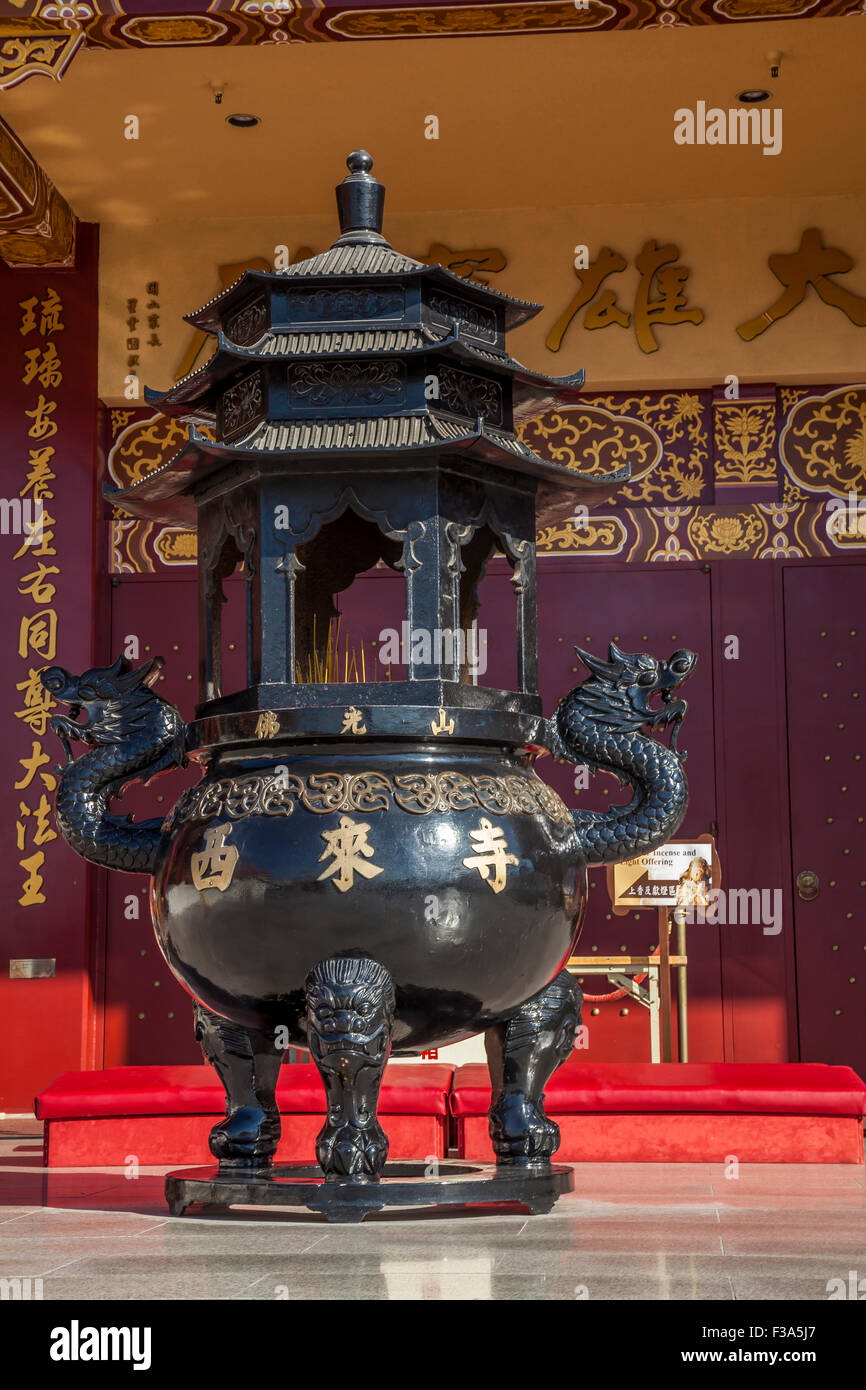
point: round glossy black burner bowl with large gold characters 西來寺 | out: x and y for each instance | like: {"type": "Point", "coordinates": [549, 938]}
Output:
{"type": "Point", "coordinates": [458, 871]}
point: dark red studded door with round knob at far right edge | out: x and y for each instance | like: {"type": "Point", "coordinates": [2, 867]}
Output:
{"type": "Point", "coordinates": [828, 757]}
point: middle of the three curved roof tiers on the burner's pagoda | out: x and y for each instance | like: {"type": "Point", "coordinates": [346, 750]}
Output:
{"type": "Point", "coordinates": [191, 397]}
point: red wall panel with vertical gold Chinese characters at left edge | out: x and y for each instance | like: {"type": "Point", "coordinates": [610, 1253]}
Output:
{"type": "Point", "coordinates": [48, 557]}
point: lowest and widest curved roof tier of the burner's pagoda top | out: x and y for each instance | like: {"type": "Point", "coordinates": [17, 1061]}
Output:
{"type": "Point", "coordinates": [166, 496]}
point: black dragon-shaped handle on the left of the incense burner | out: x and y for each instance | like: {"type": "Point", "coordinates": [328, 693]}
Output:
{"type": "Point", "coordinates": [133, 736]}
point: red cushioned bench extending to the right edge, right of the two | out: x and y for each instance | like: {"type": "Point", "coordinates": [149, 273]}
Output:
{"type": "Point", "coordinates": [615, 1113]}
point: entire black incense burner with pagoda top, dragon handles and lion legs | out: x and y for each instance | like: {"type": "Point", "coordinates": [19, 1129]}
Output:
{"type": "Point", "coordinates": [368, 867]}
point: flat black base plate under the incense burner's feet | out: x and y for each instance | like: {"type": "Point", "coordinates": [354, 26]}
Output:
{"type": "Point", "coordinates": [537, 1188]}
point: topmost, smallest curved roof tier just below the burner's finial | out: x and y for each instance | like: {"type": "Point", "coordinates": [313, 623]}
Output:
{"type": "Point", "coordinates": [379, 265]}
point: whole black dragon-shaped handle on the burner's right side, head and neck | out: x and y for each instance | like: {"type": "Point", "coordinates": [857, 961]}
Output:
{"type": "Point", "coordinates": [598, 725]}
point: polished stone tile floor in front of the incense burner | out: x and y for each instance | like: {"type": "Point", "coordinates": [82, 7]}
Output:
{"type": "Point", "coordinates": [628, 1232]}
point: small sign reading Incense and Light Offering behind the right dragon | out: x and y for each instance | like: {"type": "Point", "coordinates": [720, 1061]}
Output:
{"type": "Point", "coordinates": [678, 875]}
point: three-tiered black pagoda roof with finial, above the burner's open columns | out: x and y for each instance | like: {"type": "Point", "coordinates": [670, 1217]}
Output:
{"type": "Point", "coordinates": [351, 359]}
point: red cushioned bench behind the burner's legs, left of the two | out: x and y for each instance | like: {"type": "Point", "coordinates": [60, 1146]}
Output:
{"type": "Point", "coordinates": [165, 1114]}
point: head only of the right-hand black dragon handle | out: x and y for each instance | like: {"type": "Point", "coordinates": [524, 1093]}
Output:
{"type": "Point", "coordinates": [619, 692]}
